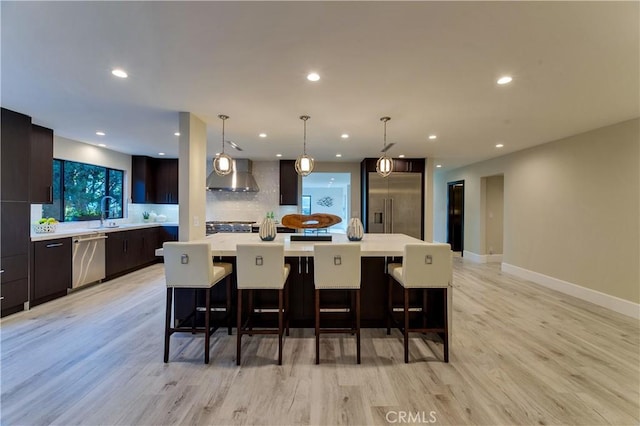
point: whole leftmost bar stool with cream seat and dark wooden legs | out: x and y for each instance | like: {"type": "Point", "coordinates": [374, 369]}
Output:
{"type": "Point", "coordinates": [189, 265]}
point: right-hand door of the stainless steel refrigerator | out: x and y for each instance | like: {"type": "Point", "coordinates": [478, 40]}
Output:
{"type": "Point", "coordinates": [405, 204]}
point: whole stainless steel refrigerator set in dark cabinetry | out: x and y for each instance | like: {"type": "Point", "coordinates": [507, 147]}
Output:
{"type": "Point", "coordinates": [395, 204]}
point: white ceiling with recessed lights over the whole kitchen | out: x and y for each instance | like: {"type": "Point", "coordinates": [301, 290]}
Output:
{"type": "Point", "coordinates": [431, 66]}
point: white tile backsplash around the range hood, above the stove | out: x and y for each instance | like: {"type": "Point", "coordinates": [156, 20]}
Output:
{"type": "Point", "coordinates": [251, 206]}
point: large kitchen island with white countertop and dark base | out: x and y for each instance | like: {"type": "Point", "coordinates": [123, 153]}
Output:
{"type": "Point", "coordinates": [377, 250]}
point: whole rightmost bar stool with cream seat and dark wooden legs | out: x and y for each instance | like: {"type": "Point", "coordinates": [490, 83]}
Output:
{"type": "Point", "coordinates": [424, 266]}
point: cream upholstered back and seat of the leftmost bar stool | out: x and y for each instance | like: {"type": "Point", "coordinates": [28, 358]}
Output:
{"type": "Point", "coordinates": [189, 264]}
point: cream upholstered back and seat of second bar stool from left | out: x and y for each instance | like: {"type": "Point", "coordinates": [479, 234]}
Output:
{"type": "Point", "coordinates": [261, 266]}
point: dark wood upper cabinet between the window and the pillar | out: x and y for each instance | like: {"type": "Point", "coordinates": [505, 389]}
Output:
{"type": "Point", "coordinates": [155, 180]}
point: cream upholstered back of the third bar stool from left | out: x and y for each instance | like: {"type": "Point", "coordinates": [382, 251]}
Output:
{"type": "Point", "coordinates": [336, 266]}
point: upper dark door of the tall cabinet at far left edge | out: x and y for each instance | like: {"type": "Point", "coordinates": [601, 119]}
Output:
{"type": "Point", "coordinates": [14, 174]}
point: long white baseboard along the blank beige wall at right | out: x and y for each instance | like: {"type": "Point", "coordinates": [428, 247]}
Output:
{"type": "Point", "coordinates": [614, 303]}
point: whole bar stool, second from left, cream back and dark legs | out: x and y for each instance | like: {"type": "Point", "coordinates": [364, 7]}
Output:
{"type": "Point", "coordinates": [262, 267]}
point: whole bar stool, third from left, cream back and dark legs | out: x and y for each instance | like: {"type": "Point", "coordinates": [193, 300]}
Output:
{"type": "Point", "coordinates": [337, 267]}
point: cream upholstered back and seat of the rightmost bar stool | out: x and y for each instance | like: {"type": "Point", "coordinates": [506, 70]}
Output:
{"type": "Point", "coordinates": [425, 266]}
